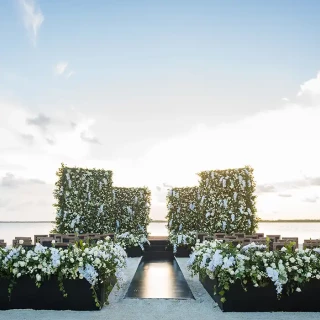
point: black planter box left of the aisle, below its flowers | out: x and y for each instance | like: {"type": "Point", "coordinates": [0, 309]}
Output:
{"type": "Point", "coordinates": [26, 295]}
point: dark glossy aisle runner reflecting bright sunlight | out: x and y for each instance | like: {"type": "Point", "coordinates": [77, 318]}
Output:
{"type": "Point", "coordinates": [159, 279]}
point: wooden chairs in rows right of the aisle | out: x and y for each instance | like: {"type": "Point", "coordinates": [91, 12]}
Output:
{"type": "Point", "coordinates": [276, 241]}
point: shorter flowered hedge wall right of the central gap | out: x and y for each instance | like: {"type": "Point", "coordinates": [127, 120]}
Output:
{"type": "Point", "coordinates": [183, 205]}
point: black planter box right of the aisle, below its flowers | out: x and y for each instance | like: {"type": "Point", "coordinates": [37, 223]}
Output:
{"type": "Point", "coordinates": [265, 299]}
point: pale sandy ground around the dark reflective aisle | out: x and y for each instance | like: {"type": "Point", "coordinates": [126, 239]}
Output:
{"type": "Point", "coordinates": [203, 308]}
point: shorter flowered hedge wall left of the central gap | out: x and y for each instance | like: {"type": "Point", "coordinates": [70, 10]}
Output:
{"type": "Point", "coordinates": [132, 209]}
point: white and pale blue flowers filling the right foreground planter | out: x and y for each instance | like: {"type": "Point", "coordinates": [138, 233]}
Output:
{"type": "Point", "coordinates": [255, 264]}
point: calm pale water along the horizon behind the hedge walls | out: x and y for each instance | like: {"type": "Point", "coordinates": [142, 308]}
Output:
{"type": "Point", "coordinates": [302, 230]}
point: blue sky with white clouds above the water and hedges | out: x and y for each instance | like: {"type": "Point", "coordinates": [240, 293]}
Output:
{"type": "Point", "coordinates": [158, 91]}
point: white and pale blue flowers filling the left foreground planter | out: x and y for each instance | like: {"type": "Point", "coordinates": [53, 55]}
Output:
{"type": "Point", "coordinates": [96, 263]}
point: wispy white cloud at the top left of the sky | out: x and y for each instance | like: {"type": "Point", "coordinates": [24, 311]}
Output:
{"type": "Point", "coordinates": [32, 18]}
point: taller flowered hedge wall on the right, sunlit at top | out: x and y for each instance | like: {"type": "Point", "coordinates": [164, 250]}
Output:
{"type": "Point", "coordinates": [229, 200]}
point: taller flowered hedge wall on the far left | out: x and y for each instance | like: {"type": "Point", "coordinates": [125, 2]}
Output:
{"type": "Point", "coordinates": [84, 200]}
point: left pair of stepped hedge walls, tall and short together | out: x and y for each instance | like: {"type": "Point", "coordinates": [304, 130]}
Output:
{"type": "Point", "coordinates": [86, 202]}
